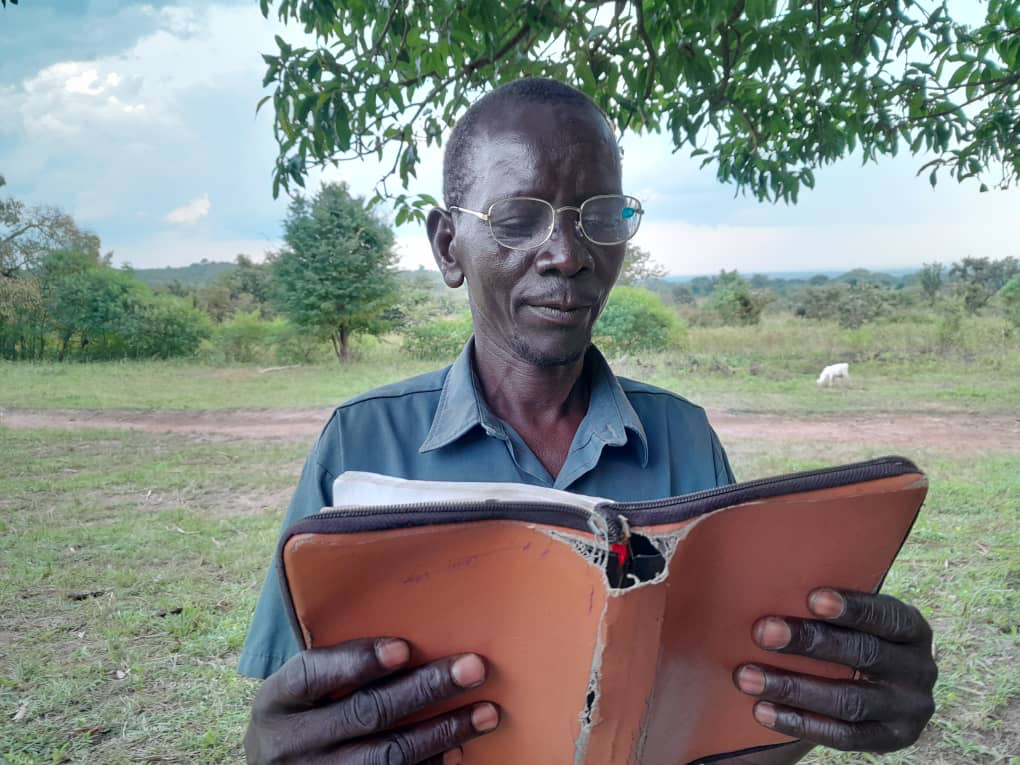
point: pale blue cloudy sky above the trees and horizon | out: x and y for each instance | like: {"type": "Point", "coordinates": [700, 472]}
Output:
{"type": "Point", "coordinates": [139, 120]}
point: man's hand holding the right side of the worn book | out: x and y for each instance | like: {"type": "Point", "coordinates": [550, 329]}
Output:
{"type": "Point", "coordinates": [884, 708]}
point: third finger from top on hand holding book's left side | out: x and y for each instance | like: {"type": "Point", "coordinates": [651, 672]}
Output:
{"type": "Point", "coordinates": [439, 738]}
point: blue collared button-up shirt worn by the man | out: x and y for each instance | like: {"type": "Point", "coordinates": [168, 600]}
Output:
{"type": "Point", "coordinates": [636, 443]}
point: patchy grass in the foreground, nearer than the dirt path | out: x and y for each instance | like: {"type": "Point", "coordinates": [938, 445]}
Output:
{"type": "Point", "coordinates": [132, 570]}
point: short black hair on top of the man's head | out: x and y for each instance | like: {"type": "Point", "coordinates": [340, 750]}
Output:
{"type": "Point", "coordinates": [456, 166]}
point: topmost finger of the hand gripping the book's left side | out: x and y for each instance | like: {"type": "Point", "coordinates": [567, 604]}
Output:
{"type": "Point", "coordinates": [319, 674]}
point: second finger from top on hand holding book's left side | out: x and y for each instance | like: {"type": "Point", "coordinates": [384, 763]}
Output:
{"type": "Point", "coordinates": [382, 705]}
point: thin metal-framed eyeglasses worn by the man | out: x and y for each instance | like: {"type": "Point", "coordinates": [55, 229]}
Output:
{"type": "Point", "coordinates": [527, 223]}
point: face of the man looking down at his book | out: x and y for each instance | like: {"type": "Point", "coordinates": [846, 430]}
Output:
{"type": "Point", "coordinates": [539, 305]}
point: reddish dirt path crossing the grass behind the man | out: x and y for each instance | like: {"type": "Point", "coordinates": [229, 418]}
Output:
{"type": "Point", "coordinates": [960, 433]}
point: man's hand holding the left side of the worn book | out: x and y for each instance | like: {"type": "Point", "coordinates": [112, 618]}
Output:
{"type": "Point", "coordinates": [339, 705]}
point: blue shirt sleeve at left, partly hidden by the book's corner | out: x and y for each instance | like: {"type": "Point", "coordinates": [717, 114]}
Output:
{"type": "Point", "coordinates": [271, 641]}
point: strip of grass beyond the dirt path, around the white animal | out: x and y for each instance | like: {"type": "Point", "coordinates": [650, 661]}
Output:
{"type": "Point", "coordinates": [769, 369]}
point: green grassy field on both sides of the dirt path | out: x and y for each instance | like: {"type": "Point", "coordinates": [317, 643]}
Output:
{"type": "Point", "coordinates": [132, 560]}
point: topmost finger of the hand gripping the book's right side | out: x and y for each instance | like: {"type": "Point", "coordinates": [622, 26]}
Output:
{"type": "Point", "coordinates": [881, 616]}
